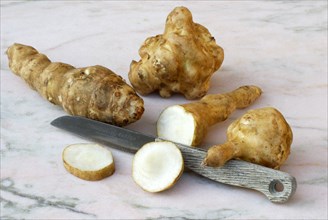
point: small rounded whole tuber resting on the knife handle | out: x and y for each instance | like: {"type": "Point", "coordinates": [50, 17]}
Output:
{"type": "Point", "coordinates": [261, 136]}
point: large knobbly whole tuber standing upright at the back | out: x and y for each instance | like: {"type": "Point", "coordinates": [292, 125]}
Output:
{"type": "Point", "coordinates": [181, 60]}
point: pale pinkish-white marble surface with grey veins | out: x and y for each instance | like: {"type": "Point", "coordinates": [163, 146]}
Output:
{"type": "Point", "coordinates": [280, 46]}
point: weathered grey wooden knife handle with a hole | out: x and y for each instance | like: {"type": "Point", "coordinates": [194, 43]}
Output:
{"type": "Point", "coordinates": [276, 185]}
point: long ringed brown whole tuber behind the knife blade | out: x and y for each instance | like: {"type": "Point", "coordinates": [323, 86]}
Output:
{"type": "Point", "coordinates": [94, 92]}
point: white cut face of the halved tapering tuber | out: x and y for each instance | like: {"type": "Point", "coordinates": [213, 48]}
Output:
{"type": "Point", "coordinates": [176, 124]}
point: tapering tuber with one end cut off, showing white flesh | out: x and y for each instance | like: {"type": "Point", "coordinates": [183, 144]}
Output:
{"type": "Point", "coordinates": [188, 123]}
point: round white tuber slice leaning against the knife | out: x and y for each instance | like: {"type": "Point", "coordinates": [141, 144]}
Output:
{"type": "Point", "coordinates": [157, 166]}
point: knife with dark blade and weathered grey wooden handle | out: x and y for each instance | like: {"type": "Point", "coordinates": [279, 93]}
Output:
{"type": "Point", "coordinates": [276, 185]}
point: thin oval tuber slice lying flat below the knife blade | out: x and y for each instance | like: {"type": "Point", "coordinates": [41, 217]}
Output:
{"type": "Point", "coordinates": [88, 161]}
